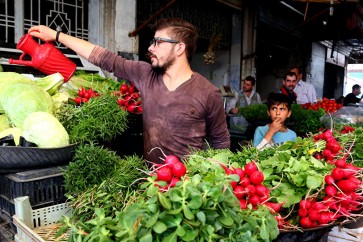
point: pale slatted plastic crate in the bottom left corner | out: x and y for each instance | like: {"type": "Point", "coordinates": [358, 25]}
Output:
{"type": "Point", "coordinates": [32, 223]}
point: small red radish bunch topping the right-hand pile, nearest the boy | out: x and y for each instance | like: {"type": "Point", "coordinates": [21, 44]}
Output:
{"type": "Point", "coordinates": [332, 147]}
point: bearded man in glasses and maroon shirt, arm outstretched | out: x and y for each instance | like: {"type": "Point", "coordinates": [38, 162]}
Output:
{"type": "Point", "coordinates": [181, 108]}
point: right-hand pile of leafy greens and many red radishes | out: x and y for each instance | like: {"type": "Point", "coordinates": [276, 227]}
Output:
{"type": "Point", "coordinates": [316, 179]}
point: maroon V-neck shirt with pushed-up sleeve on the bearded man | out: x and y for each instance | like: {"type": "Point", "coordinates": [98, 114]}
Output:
{"type": "Point", "coordinates": [175, 120]}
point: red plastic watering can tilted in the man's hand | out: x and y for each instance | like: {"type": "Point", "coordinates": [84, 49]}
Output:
{"type": "Point", "coordinates": [44, 57]}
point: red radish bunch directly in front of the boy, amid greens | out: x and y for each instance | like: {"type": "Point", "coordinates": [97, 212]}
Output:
{"type": "Point", "coordinates": [249, 189]}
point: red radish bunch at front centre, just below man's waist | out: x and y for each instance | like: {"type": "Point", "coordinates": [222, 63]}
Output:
{"type": "Point", "coordinates": [171, 172]}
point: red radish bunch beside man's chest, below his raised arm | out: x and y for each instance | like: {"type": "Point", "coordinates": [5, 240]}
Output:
{"type": "Point", "coordinates": [129, 98]}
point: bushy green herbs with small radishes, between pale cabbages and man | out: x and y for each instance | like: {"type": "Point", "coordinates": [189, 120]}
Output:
{"type": "Point", "coordinates": [93, 113]}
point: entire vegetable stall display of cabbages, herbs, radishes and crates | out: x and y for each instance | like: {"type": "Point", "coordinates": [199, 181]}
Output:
{"type": "Point", "coordinates": [301, 189]}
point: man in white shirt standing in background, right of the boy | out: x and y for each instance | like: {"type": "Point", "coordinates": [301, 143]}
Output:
{"type": "Point", "coordinates": [305, 91]}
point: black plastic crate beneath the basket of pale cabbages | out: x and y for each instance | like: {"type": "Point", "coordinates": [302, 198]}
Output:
{"type": "Point", "coordinates": [44, 187]}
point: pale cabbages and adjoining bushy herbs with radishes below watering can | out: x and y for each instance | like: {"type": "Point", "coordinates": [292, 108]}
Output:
{"type": "Point", "coordinates": [56, 114]}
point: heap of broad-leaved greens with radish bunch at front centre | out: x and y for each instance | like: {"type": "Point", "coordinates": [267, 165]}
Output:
{"type": "Point", "coordinates": [201, 206]}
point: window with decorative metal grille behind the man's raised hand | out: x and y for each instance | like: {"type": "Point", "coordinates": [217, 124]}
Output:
{"type": "Point", "coordinates": [70, 15]}
